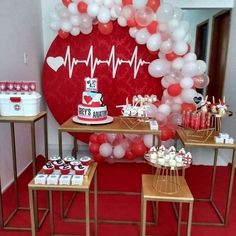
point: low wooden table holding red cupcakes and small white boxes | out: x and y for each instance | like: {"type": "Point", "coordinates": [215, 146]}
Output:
{"type": "Point", "coordinates": [85, 187]}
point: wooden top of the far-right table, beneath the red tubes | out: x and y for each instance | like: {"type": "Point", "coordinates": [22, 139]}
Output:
{"type": "Point", "coordinates": [209, 143]}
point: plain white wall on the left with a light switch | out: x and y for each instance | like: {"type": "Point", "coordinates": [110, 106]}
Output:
{"type": "Point", "coordinates": [21, 32]}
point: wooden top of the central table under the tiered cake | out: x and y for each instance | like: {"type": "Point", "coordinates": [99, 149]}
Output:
{"type": "Point", "coordinates": [119, 125]}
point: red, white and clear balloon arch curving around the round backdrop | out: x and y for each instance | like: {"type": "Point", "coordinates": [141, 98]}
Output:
{"type": "Point", "coordinates": [158, 26]}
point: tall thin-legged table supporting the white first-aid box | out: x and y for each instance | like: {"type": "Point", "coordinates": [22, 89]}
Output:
{"type": "Point", "coordinates": [21, 119]}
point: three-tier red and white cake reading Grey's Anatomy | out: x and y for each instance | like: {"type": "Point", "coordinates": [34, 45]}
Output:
{"type": "Point", "coordinates": [92, 107]}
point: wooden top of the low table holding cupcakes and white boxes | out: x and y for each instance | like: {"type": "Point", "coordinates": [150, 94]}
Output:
{"type": "Point", "coordinates": [86, 183]}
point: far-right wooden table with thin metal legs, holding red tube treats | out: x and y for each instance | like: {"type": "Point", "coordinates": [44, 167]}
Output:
{"type": "Point", "coordinates": [210, 143]}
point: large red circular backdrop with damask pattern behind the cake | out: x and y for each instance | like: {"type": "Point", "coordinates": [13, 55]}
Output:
{"type": "Point", "coordinates": [63, 91]}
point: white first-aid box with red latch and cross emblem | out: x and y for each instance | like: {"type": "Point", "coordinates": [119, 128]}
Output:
{"type": "Point", "coordinates": [19, 104]}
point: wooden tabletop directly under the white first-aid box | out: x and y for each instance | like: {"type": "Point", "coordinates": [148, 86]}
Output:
{"type": "Point", "coordinates": [22, 119]}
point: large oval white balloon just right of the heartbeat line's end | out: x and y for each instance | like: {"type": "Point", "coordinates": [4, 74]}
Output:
{"type": "Point", "coordinates": [159, 68]}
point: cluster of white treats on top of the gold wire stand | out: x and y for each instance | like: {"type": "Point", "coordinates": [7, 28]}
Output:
{"type": "Point", "coordinates": [169, 157]}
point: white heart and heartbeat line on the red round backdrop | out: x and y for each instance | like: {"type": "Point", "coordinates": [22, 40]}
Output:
{"type": "Point", "coordinates": [56, 62]}
